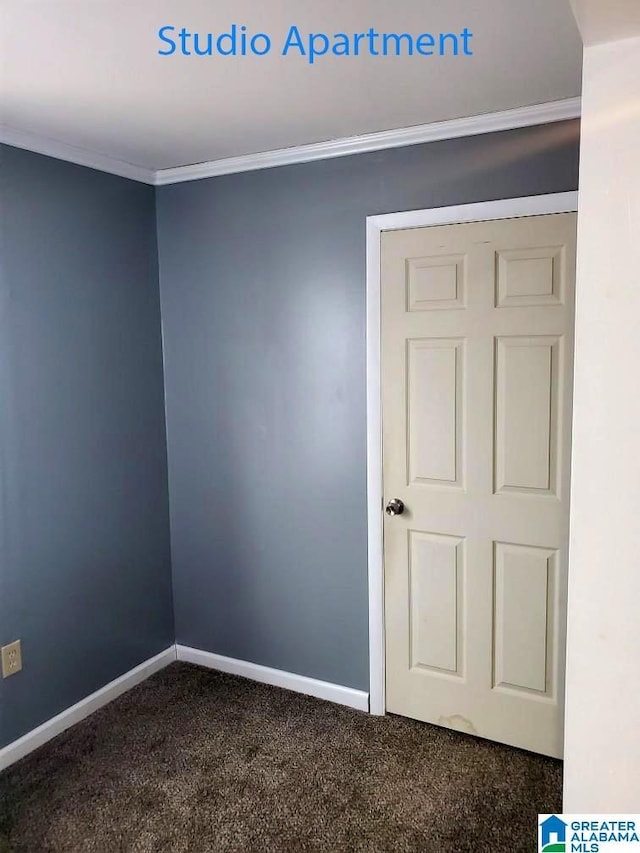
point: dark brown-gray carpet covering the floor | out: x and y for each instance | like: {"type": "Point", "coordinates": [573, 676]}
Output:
{"type": "Point", "coordinates": [193, 761]}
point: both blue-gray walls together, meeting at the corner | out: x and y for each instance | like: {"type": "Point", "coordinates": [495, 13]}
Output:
{"type": "Point", "coordinates": [263, 295]}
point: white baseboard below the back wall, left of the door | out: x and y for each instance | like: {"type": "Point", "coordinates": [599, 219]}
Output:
{"type": "Point", "coordinates": [358, 699]}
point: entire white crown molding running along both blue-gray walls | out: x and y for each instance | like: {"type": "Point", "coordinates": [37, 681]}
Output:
{"type": "Point", "coordinates": [471, 126]}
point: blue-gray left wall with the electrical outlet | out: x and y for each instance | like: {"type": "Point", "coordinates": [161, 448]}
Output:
{"type": "Point", "coordinates": [84, 543]}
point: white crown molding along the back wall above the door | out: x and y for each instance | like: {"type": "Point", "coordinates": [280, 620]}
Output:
{"type": "Point", "coordinates": [472, 126]}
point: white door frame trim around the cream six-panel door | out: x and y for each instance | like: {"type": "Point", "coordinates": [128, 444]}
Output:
{"type": "Point", "coordinates": [506, 209]}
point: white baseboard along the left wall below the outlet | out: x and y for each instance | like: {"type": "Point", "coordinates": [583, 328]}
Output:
{"type": "Point", "coordinates": [37, 737]}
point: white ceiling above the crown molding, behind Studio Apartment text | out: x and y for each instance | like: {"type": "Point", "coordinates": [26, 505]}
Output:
{"type": "Point", "coordinates": [87, 73]}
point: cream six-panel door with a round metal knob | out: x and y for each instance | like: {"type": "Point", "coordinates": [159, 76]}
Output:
{"type": "Point", "coordinates": [477, 351]}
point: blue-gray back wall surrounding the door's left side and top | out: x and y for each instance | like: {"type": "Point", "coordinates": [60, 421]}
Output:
{"type": "Point", "coordinates": [263, 303]}
